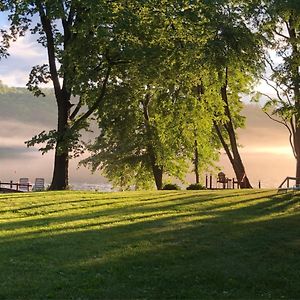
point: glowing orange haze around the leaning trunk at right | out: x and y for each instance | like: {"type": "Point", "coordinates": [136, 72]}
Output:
{"type": "Point", "coordinates": [266, 151]}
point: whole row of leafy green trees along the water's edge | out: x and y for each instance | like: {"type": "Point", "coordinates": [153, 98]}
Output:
{"type": "Point", "coordinates": [163, 80]}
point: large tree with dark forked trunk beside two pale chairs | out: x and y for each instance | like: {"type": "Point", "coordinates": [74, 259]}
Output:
{"type": "Point", "coordinates": [81, 75]}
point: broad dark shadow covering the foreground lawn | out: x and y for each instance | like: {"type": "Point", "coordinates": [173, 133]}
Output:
{"type": "Point", "coordinates": [170, 256]}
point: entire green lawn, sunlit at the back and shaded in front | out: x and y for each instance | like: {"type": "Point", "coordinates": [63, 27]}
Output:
{"type": "Point", "coordinates": [150, 245]}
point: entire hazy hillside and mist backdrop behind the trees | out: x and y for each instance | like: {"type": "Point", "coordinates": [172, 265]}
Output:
{"type": "Point", "coordinates": [265, 148]}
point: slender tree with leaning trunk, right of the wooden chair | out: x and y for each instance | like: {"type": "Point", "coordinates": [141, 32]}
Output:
{"type": "Point", "coordinates": [232, 58]}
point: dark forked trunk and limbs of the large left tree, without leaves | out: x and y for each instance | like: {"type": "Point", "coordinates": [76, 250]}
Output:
{"type": "Point", "coordinates": [63, 93]}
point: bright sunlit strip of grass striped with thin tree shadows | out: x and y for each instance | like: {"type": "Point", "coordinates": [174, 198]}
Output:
{"type": "Point", "coordinates": [101, 209]}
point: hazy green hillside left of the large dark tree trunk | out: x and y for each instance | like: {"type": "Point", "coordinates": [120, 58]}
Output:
{"type": "Point", "coordinates": [20, 105]}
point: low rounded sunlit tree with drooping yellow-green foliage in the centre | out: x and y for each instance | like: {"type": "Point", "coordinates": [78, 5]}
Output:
{"type": "Point", "coordinates": [150, 132]}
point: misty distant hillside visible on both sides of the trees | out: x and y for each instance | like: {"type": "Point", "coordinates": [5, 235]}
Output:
{"type": "Point", "coordinates": [20, 106]}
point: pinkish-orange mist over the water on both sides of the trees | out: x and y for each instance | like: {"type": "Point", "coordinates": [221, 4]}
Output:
{"type": "Point", "coordinates": [266, 154]}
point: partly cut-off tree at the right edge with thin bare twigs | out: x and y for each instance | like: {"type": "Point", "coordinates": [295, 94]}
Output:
{"type": "Point", "coordinates": [279, 23]}
